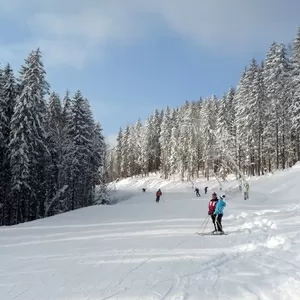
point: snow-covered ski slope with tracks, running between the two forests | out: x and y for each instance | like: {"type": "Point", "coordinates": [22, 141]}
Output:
{"type": "Point", "coordinates": [142, 250]}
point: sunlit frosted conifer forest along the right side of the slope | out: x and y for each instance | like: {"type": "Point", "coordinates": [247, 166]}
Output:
{"type": "Point", "coordinates": [254, 128]}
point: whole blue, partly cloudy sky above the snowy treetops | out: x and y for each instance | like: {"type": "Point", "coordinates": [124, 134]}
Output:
{"type": "Point", "coordinates": [129, 57]}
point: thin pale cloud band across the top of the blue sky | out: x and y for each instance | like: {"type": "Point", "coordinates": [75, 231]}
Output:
{"type": "Point", "coordinates": [73, 31]}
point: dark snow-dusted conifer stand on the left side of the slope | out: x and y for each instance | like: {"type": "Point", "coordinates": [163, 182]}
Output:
{"type": "Point", "coordinates": [51, 151]}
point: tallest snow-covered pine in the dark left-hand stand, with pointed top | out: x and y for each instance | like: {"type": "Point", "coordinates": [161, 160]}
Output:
{"type": "Point", "coordinates": [28, 148]}
